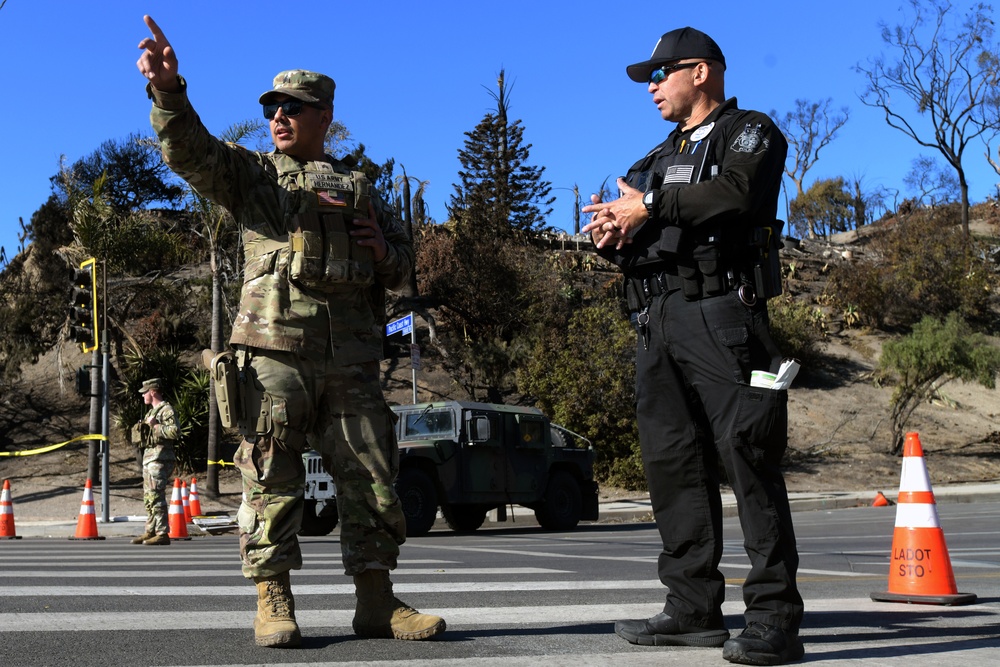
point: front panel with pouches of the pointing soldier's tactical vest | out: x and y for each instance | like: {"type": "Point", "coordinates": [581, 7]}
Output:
{"type": "Point", "coordinates": [323, 255]}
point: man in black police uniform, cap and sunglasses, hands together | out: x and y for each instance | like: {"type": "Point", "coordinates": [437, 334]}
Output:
{"type": "Point", "coordinates": [694, 233]}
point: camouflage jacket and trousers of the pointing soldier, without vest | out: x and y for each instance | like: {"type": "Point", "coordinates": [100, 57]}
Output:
{"type": "Point", "coordinates": [313, 352]}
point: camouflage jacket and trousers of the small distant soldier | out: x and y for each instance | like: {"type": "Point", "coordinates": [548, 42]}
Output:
{"type": "Point", "coordinates": [157, 444]}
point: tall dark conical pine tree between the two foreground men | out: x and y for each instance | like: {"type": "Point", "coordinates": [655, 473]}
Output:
{"type": "Point", "coordinates": [500, 192]}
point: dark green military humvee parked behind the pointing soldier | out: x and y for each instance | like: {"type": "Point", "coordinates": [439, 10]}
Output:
{"type": "Point", "coordinates": [472, 458]}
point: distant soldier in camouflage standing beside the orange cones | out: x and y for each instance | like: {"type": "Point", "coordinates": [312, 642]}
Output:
{"type": "Point", "coordinates": [156, 435]}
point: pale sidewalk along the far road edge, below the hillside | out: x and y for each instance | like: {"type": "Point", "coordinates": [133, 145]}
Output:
{"type": "Point", "coordinates": [617, 511]}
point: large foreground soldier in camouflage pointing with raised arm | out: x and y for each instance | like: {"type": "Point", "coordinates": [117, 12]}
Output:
{"type": "Point", "coordinates": [320, 250]}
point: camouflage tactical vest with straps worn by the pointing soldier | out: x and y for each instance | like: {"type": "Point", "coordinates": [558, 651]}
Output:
{"type": "Point", "coordinates": [322, 255]}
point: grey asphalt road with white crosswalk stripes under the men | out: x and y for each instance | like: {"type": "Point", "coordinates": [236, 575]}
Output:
{"type": "Point", "coordinates": [516, 596]}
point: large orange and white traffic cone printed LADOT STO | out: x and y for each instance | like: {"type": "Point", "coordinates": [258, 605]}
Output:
{"type": "Point", "coordinates": [920, 568]}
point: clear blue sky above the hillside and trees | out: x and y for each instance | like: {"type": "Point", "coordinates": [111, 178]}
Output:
{"type": "Point", "coordinates": [412, 78]}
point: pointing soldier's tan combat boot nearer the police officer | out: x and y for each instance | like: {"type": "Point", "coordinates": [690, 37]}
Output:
{"type": "Point", "coordinates": [379, 614]}
